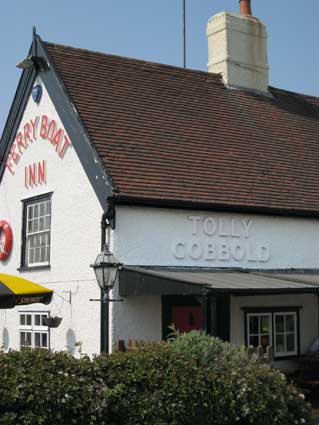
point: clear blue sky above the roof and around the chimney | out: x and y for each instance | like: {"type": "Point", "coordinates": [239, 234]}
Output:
{"type": "Point", "coordinates": [152, 30]}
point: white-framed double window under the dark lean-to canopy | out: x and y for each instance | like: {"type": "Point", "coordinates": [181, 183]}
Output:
{"type": "Point", "coordinates": [276, 328]}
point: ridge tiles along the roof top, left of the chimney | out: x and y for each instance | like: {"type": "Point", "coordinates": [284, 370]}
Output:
{"type": "Point", "coordinates": [206, 74]}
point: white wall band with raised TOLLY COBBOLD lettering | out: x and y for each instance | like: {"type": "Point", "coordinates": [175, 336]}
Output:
{"type": "Point", "coordinates": [167, 237]}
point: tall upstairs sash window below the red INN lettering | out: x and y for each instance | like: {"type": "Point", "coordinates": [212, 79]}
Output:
{"type": "Point", "coordinates": [36, 232]}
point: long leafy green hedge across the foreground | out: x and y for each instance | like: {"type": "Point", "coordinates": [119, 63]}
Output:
{"type": "Point", "coordinates": [193, 380]}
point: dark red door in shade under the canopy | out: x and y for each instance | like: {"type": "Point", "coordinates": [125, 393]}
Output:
{"type": "Point", "coordinates": [186, 318]}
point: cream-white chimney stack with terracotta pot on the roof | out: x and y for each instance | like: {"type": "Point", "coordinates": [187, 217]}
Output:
{"type": "Point", "coordinates": [237, 48]}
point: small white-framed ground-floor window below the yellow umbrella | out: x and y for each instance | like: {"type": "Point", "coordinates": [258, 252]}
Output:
{"type": "Point", "coordinates": [33, 333]}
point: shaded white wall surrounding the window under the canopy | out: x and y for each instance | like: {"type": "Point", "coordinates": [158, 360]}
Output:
{"type": "Point", "coordinates": [308, 315]}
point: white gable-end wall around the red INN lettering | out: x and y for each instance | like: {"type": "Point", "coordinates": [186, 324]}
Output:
{"type": "Point", "coordinates": [75, 238]}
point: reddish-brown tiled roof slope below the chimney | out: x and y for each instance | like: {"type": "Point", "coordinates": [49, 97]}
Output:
{"type": "Point", "coordinates": [173, 134]}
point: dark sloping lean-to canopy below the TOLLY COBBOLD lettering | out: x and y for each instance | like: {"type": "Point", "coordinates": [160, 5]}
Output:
{"type": "Point", "coordinates": [136, 281]}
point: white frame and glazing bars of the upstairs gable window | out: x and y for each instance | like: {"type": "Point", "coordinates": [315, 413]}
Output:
{"type": "Point", "coordinates": [30, 235]}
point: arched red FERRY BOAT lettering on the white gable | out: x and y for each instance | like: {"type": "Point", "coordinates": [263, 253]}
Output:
{"type": "Point", "coordinates": [40, 127]}
